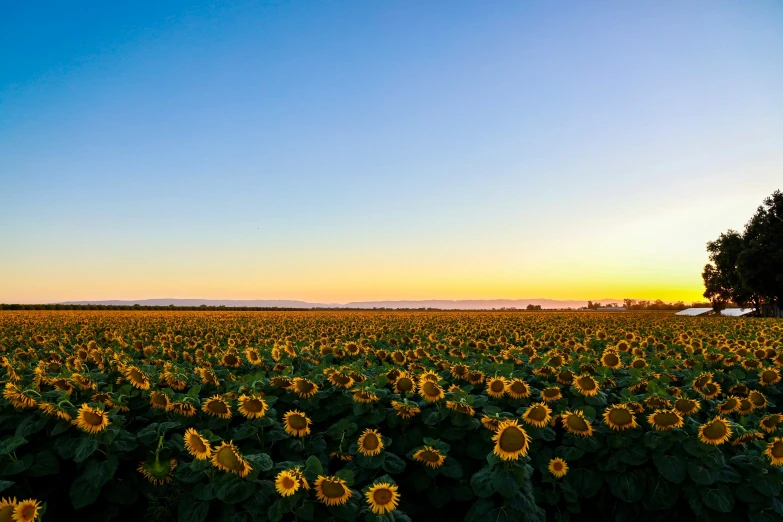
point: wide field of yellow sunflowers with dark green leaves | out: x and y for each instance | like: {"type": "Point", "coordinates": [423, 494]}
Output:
{"type": "Point", "coordinates": [384, 416]}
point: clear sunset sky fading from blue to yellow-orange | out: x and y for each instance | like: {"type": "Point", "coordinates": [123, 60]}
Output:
{"type": "Point", "coordinates": [348, 150]}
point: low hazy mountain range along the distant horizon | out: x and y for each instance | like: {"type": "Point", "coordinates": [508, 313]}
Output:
{"type": "Point", "coordinates": [443, 304]}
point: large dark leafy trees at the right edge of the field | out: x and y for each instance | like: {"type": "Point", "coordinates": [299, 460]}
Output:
{"type": "Point", "coordinates": [747, 268]}
